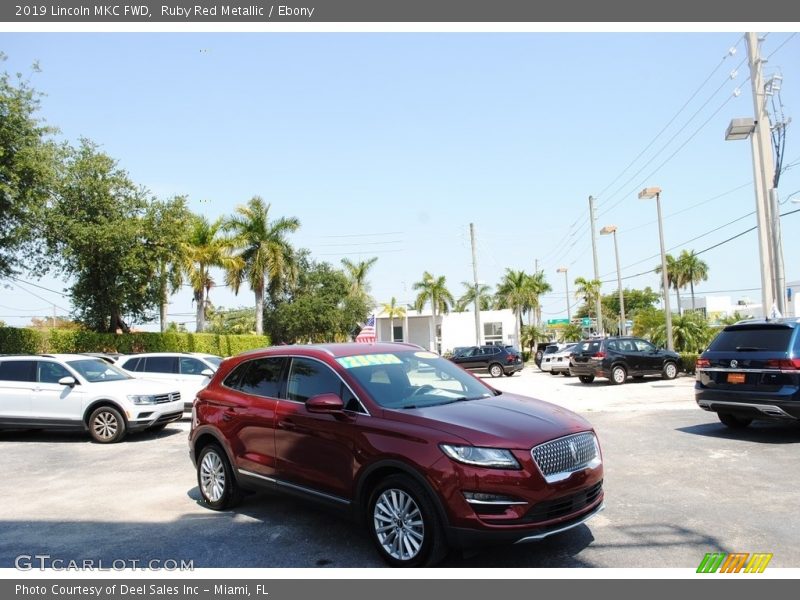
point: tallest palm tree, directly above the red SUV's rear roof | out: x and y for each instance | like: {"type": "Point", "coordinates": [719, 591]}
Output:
{"type": "Point", "coordinates": [265, 254]}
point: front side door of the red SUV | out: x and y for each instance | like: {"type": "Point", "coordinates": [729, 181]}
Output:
{"type": "Point", "coordinates": [315, 451]}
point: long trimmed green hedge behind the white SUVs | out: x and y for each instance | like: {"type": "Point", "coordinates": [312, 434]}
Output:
{"type": "Point", "coordinates": [35, 341]}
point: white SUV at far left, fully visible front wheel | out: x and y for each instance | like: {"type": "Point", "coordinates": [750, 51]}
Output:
{"type": "Point", "coordinates": [69, 392]}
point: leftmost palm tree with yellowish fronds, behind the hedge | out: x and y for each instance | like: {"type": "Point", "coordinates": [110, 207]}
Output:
{"type": "Point", "coordinates": [206, 248]}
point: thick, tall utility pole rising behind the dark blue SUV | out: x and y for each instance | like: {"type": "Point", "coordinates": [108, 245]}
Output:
{"type": "Point", "coordinates": [763, 168]}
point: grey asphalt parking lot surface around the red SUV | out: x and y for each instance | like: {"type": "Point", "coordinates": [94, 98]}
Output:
{"type": "Point", "coordinates": [678, 484]}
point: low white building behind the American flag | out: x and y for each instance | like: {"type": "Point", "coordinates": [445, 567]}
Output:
{"type": "Point", "coordinates": [452, 330]}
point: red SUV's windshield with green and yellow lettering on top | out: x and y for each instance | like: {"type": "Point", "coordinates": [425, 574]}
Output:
{"type": "Point", "coordinates": [405, 380]}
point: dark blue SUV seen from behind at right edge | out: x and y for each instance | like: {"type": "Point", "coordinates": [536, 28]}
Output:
{"type": "Point", "coordinates": [751, 370]}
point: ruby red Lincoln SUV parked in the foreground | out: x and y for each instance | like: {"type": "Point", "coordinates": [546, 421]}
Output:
{"type": "Point", "coordinates": [426, 455]}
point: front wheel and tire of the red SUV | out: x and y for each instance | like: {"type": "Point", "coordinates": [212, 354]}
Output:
{"type": "Point", "coordinates": [404, 524]}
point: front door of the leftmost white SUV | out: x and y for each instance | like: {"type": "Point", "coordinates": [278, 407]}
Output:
{"type": "Point", "coordinates": [59, 404]}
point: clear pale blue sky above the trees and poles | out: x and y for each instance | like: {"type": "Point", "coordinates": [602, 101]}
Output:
{"type": "Point", "coordinates": [389, 145]}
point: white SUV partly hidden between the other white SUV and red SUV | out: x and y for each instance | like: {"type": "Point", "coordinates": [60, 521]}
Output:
{"type": "Point", "coordinates": [189, 371]}
